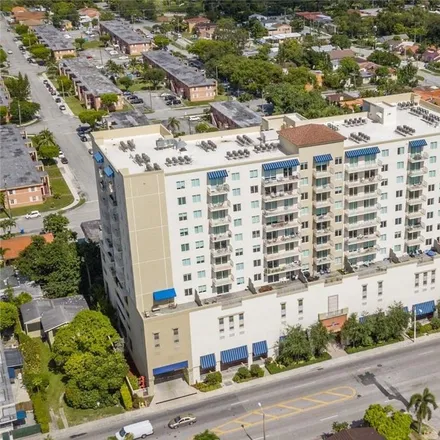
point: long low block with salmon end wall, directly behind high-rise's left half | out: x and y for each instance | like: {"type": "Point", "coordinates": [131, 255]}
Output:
{"type": "Point", "coordinates": [187, 82]}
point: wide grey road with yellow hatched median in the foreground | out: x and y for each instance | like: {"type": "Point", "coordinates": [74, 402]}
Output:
{"type": "Point", "coordinates": [302, 406]}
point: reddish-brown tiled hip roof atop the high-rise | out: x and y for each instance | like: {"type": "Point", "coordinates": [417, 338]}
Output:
{"type": "Point", "coordinates": [311, 134]}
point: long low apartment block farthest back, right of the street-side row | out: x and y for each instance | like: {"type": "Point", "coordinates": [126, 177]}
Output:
{"type": "Point", "coordinates": [128, 40]}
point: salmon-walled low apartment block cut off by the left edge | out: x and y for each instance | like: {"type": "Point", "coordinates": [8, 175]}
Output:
{"type": "Point", "coordinates": [23, 179]}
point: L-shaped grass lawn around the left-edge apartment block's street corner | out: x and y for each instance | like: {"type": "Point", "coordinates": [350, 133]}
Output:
{"type": "Point", "coordinates": [59, 186]}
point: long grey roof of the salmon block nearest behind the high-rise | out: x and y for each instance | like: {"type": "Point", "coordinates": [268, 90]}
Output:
{"type": "Point", "coordinates": [189, 76]}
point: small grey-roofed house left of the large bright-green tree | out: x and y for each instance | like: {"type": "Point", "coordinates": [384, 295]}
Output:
{"type": "Point", "coordinates": [43, 317]}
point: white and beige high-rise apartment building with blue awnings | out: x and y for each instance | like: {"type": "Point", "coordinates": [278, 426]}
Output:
{"type": "Point", "coordinates": [213, 243]}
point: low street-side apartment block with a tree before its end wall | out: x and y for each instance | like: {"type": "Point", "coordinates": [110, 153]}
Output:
{"type": "Point", "coordinates": [89, 84]}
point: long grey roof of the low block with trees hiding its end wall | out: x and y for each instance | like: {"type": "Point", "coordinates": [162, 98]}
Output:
{"type": "Point", "coordinates": [89, 76]}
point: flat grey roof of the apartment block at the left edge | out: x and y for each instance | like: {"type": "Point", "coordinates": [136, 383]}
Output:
{"type": "Point", "coordinates": [17, 167]}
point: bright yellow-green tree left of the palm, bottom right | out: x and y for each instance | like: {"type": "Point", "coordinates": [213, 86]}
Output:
{"type": "Point", "coordinates": [387, 421]}
